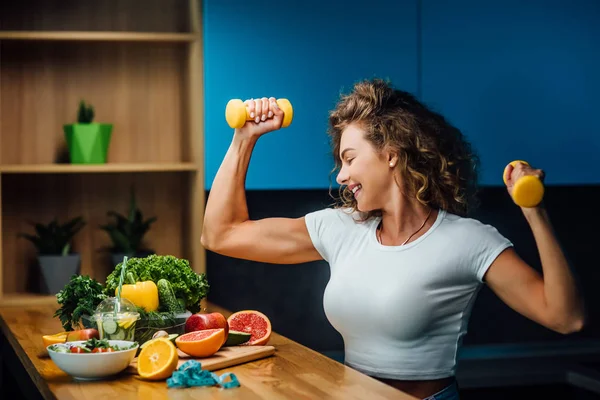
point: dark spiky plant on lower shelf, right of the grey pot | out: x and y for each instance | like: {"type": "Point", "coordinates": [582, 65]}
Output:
{"type": "Point", "coordinates": [127, 232]}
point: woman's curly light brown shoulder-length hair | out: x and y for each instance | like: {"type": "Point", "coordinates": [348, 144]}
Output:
{"type": "Point", "coordinates": [436, 161]}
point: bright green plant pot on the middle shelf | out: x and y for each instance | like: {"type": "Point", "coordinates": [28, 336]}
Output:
{"type": "Point", "coordinates": [88, 143]}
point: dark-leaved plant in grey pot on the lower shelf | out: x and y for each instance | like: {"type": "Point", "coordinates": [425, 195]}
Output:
{"type": "Point", "coordinates": [55, 256]}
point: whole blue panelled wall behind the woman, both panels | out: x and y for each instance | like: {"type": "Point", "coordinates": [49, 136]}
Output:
{"type": "Point", "coordinates": [521, 80]}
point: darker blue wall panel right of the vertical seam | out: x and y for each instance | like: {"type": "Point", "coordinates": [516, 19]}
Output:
{"type": "Point", "coordinates": [521, 79]}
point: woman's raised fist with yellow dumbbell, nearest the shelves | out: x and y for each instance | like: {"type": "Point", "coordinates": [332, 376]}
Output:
{"type": "Point", "coordinates": [238, 112]}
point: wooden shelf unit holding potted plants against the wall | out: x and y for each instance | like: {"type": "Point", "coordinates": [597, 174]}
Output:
{"type": "Point", "coordinates": [139, 63]}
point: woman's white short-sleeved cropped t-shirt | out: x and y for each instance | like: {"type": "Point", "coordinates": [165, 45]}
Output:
{"type": "Point", "coordinates": [402, 310]}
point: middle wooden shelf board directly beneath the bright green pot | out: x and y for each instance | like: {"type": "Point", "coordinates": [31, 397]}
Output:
{"type": "Point", "coordinates": [95, 168]}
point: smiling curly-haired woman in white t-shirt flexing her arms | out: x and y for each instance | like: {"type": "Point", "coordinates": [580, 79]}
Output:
{"type": "Point", "coordinates": [400, 238]}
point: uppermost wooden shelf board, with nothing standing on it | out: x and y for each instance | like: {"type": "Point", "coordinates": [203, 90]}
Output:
{"type": "Point", "coordinates": [99, 36]}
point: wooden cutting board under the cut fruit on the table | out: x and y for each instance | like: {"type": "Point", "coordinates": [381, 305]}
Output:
{"type": "Point", "coordinates": [226, 357]}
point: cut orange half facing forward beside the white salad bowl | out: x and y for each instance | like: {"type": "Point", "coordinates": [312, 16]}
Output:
{"type": "Point", "coordinates": [157, 360]}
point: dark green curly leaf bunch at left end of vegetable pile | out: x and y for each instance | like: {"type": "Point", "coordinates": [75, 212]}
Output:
{"type": "Point", "coordinates": [79, 297]}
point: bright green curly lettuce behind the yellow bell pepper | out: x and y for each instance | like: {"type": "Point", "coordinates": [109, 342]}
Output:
{"type": "Point", "coordinates": [187, 284]}
